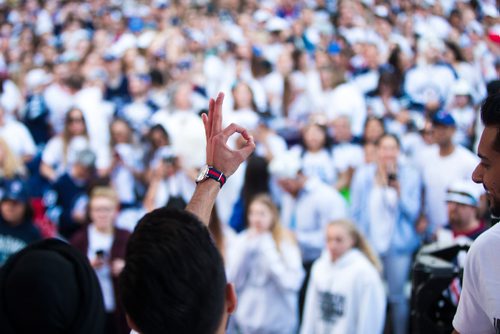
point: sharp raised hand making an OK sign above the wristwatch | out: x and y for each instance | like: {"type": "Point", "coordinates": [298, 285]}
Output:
{"type": "Point", "coordinates": [219, 154]}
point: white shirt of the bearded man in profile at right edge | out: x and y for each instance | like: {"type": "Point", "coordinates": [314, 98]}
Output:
{"type": "Point", "coordinates": [479, 307]}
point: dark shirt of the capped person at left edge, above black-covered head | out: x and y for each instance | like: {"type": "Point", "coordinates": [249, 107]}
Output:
{"type": "Point", "coordinates": [13, 239]}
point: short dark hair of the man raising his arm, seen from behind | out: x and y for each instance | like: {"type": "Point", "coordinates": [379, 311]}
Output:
{"type": "Point", "coordinates": [174, 279]}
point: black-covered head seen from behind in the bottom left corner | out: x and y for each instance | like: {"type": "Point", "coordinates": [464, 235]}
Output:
{"type": "Point", "coordinates": [50, 287]}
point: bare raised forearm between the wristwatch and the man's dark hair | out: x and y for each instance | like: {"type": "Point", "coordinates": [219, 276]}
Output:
{"type": "Point", "coordinates": [203, 200]}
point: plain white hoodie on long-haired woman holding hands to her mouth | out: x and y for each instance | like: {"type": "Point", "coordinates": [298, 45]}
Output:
{"type": "Point", "coordinates": [267, 283]}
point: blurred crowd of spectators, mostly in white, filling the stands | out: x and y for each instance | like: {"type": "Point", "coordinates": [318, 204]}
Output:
{"type": "Point", "coordinates": [362, 111]}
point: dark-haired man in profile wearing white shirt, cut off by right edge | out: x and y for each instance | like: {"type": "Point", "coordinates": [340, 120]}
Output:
{"type": "Point", "coordinates": [479, 306]}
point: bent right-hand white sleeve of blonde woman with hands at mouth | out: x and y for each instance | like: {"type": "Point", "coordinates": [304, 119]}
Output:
{"type": "Point", "coordinates": [285, 266]}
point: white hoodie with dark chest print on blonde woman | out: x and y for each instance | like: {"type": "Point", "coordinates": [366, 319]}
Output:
{"type": "Point", "coordinates": [345, 296]}
